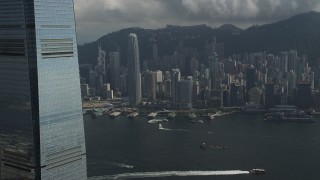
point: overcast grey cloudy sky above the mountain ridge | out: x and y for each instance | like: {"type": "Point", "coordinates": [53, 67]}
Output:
{"type": "Point", "coordinates": [96, 18]}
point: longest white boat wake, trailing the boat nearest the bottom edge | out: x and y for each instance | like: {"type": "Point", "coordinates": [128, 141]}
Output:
{"type": "Point", "coordinates": [168, 174]}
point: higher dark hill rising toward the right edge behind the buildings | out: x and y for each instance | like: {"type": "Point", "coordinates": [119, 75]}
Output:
{"type": "Point", "coordinates": [299, 32]}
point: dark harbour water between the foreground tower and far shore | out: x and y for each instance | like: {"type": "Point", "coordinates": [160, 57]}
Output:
{"type": "Point", "coordinates": [121, 145]}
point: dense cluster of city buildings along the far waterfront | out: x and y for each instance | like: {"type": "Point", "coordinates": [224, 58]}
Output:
{"type": "Point", "coordinates": [205, 79]}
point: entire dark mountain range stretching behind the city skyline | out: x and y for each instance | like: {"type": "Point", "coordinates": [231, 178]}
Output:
{"type": "Point", "coordinates": [301, 32]}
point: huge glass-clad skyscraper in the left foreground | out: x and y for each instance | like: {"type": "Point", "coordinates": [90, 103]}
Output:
{"type": "Point", "coordinates": [41, 123]}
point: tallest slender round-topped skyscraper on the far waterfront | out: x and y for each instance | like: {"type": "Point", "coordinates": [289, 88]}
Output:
{"type": "Point", "coordinates": [134, 76]}
